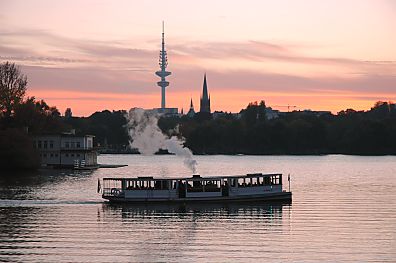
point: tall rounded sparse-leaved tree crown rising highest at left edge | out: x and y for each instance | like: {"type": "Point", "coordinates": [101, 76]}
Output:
{"type": "Point", "coordinates": [12, 87]}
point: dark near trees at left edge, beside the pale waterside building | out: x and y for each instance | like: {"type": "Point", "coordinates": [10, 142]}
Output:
{"type": "Point", "coordinates": [21, 116]}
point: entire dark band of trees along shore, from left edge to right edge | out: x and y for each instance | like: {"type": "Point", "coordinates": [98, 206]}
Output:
{"type": "Point", "coordinates": [251, 131]}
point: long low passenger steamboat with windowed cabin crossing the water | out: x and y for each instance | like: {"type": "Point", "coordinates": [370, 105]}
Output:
{"type": "Point", "coordinates": [250, 187]}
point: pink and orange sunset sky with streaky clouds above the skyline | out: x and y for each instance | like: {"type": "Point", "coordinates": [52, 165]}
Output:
{"type": "Point", "coordinates": [96, 55]}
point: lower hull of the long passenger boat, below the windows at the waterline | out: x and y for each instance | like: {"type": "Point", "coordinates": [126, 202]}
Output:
{"type": "Point", "coordinates": [280, 196]}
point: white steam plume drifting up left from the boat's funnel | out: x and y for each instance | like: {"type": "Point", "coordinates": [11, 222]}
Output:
{"type": "Point", "coordinates": [148, 138]}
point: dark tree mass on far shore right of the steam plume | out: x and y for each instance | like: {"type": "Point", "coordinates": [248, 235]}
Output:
{"type": "Point", "coordinates": [349, 132]}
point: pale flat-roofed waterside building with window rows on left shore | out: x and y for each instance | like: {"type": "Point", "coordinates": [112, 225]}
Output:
{"type": "Point", "coordinates": [65, 150]}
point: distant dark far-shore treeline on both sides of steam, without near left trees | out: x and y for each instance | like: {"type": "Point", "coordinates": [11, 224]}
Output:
{"type": "Point", "coordinates": [370, 132]}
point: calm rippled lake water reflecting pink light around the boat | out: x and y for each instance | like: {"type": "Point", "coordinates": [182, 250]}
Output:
{"type": "Point", "coordinates": [344, 210]}
